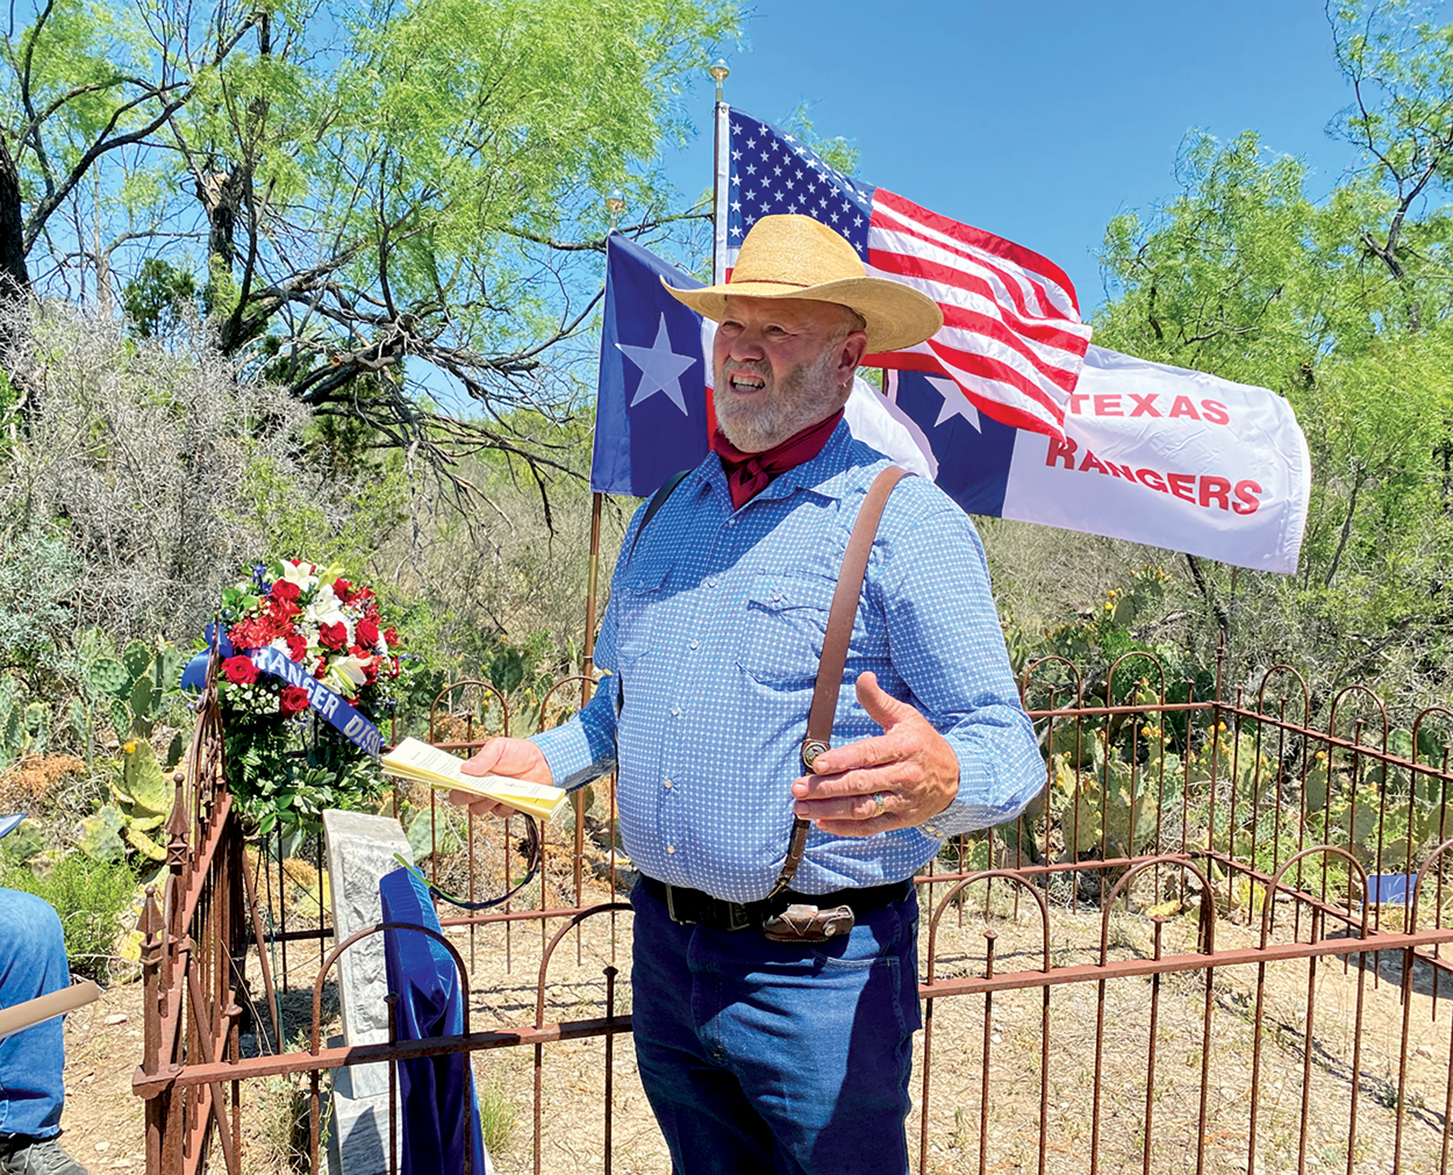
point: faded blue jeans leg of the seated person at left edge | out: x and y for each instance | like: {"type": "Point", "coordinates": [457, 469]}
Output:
{"type": "Point", "coordinates": [33, 962]}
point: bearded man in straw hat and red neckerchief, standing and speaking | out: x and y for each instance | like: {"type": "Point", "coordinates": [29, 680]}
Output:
{"type": "Point", "coordinates": [761, 1055]}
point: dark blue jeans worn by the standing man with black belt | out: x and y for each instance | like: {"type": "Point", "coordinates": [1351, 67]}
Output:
{"type": "Point", "coordinates": [769, 1057]}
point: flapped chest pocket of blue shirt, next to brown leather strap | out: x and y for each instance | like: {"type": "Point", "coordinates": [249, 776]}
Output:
{"type": "Point", "coordinates": [782, 630]}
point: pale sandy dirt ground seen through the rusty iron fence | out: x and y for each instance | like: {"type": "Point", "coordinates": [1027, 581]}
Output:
{"type": "Point", "coordinates": [104, 1044]}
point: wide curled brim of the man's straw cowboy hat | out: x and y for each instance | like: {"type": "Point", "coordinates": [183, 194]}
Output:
{"type": "Point", "coordinates": [896, 314]}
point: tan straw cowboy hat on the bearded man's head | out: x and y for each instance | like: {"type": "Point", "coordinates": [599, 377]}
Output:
{"type": "Point", "coordinates": [794, 256]}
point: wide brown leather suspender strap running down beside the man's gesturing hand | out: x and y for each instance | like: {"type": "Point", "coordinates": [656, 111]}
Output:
{"type": "Point", "coordinates": [835, 650]}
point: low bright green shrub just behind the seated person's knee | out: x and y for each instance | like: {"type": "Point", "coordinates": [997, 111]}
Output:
{"type": "Point", "coordinates": [91, 898]}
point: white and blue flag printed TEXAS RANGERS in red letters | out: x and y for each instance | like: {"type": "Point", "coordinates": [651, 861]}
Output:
{"type": "Point", "coordinates": [1152, 454]}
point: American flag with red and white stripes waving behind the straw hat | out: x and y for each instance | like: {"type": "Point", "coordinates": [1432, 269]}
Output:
{"type": "Point", "coordinates": [1012, 338]}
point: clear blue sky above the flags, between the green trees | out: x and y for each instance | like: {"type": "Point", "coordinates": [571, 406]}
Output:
{"type": "Point", "coordinates": [1037, 121]}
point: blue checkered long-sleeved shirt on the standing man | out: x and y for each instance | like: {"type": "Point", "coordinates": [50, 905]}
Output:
{"type": "Point", "coordinates": [713, 637]}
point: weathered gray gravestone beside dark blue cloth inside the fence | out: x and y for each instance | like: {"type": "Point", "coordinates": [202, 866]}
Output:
{"type": "Point", "coordinates": [361, 852]}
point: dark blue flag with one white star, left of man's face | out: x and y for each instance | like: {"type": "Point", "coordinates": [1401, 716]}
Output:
{"type": "Point", "coordinates": [652, 410]}
